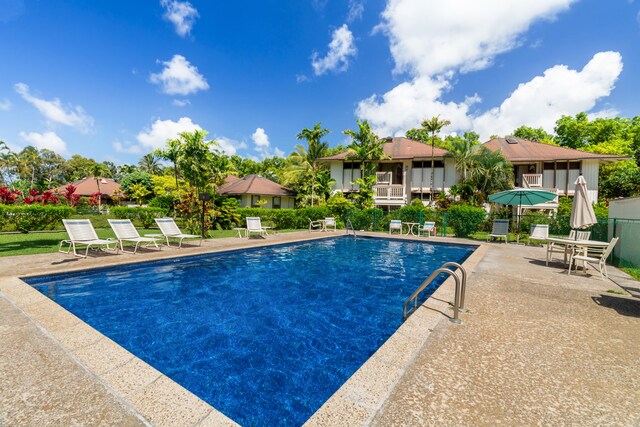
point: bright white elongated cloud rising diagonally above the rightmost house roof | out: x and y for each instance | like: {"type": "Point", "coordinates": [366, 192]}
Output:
{"type": "Point", "coordinates": [559, 91]}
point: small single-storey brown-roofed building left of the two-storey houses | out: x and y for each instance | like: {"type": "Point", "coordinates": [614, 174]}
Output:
{"type": "Point", "coordinates": [253, 188]}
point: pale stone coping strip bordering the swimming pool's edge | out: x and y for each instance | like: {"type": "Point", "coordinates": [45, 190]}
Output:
{"type": "Point", "coordinates": [158, 400]}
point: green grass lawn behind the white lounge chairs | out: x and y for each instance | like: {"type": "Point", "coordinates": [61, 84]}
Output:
{"type": "Point", "coordinates": [48, 241]}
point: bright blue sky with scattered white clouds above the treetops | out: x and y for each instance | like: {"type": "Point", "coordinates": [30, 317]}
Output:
{"type": "Point", "coordinates": [114, 79]}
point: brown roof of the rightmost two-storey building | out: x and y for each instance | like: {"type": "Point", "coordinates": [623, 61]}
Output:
{"type": "Point", "coordinates": [522, 150]}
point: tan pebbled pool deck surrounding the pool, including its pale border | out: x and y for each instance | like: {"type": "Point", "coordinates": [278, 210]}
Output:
{"type": "Point", "coordinates": [538, 347]}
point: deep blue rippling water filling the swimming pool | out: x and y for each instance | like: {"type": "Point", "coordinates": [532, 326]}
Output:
{"type": "Point", "coordinates": [265, 335]}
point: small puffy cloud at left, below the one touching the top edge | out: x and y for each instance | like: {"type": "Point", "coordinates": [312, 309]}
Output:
{"type": "Point", "coordinates": [179, 77]}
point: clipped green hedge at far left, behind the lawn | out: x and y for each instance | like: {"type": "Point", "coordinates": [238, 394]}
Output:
{"type": "Point", "coordinates": [25, 218]}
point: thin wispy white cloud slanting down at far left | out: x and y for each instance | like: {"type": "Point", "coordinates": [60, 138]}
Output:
{"type": "Point", "coordinates": [55, 112]}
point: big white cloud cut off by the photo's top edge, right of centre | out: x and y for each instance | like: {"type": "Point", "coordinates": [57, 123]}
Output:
{"type": "Point", "coordinates": [429, 37]}
